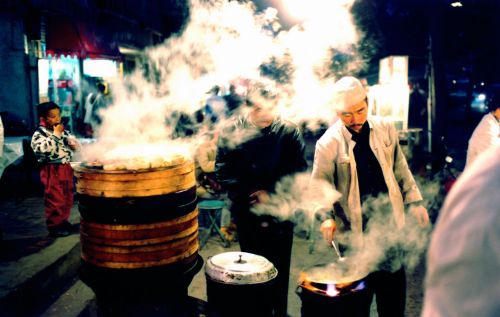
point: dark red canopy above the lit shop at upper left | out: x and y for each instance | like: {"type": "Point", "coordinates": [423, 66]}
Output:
{"type": "Point", "coordinates": [65, 36]}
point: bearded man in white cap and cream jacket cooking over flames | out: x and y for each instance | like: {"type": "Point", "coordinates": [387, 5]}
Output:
{"type": "Point", "coordinates": [362, 159]}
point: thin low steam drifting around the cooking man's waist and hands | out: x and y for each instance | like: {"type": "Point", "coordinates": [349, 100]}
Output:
{"type": "Point", "coordinates": [382, 246]}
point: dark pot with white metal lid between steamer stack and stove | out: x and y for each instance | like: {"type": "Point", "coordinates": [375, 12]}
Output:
{"type": "Point", "coordinates": [240, 284]}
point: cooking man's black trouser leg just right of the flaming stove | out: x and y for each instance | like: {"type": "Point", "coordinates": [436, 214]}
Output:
{"type": "Point", "coordinates": [389, 289]}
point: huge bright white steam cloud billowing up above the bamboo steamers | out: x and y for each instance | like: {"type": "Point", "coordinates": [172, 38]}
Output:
{"type": "Point", "coordinates": [222, 42]}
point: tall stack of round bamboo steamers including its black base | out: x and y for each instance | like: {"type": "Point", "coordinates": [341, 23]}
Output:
{"type": "Point", "coordinates": [139, 232]}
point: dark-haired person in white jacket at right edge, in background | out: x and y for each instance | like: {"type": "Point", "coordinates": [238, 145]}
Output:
{"type": "Point", "coordinates": [487, 132]}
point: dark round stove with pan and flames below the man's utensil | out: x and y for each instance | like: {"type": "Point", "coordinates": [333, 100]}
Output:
{"type": "Point", "coordinates": [334, 289]}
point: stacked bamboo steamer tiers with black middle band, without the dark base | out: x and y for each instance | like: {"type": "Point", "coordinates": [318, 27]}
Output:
{"type": "Point", "coordinates": [138, 219]}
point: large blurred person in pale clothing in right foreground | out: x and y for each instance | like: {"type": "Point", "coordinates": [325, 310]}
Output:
{"type": "Point", "coordinates": [464, 255]}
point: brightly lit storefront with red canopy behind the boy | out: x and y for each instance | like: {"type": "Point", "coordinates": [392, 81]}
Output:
{"type": "Point", "coordinates": [76, 57]}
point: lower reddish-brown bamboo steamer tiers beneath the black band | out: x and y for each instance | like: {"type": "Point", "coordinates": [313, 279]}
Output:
{"type": "Point", "coordinates": [139, 246]}
